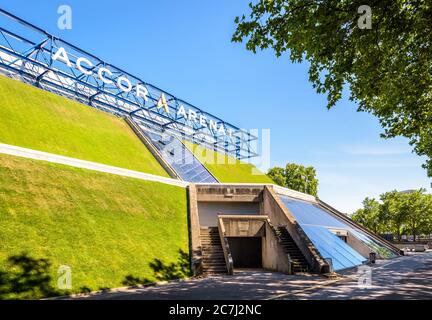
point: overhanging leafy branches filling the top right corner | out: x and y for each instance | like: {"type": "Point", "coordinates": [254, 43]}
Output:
{"type": "Point", "coordinates": [387, 67]}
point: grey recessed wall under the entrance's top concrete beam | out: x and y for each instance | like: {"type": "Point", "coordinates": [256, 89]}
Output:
{"type": "Point", "coordinates": [208, 211]}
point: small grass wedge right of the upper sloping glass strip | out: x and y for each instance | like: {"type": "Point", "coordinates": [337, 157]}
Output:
{"type": "Point", "coordinates": [226, 168]}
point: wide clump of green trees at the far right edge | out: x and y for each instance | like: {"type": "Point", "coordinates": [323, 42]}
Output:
{"type": "Point", "coordinates": [398, 213]}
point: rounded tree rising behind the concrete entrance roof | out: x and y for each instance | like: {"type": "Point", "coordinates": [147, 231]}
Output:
{"type": "Point", "coordinates": [296, 177]}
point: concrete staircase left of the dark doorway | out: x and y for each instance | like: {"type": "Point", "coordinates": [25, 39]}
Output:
{"type": "Point", "coordinates": [212, 252]}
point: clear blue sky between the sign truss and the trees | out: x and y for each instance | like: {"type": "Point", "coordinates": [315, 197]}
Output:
{"type": "Point", "coordinates": [184, 47]}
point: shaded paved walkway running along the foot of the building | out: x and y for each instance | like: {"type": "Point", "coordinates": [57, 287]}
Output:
{"type": "Point", "coordinates": [407, 277]}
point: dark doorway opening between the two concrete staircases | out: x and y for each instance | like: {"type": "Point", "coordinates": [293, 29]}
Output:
{"type": "Point", "coordinates": [246, 251]}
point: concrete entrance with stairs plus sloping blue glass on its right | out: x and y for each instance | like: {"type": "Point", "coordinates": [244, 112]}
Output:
{"type": "Point", "coordinates": [256, 226]}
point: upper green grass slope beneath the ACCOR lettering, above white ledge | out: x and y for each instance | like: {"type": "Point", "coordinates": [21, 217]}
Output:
{"type": "Point", "coordinates": [36, 119]}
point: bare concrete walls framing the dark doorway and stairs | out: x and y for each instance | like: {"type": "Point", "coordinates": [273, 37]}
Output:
{"type": "Point", "coordinates": [247, 212]}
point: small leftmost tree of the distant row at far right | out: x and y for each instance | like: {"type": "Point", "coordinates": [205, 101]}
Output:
{"type": "Point", "coordinates": [370, 215]}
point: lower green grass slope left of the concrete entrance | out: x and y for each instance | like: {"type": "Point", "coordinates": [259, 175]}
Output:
{"type": "Point", "coordinates": [105, 227]}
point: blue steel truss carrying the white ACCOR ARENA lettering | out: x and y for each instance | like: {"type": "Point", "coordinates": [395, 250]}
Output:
{"type": "Point", "coordinates": [34, 56]}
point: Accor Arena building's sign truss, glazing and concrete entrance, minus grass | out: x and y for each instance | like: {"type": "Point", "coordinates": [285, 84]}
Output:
{"type": "Point", "coordinates": [230, 225]}
